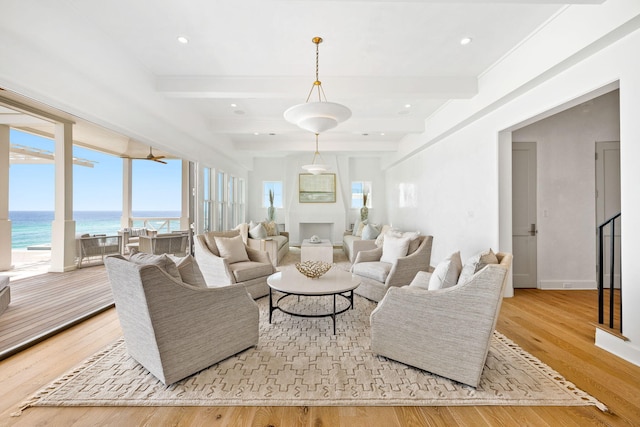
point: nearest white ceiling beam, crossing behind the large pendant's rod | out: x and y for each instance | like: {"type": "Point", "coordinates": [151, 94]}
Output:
{"type": "Point", "coordinates": [439, 87]}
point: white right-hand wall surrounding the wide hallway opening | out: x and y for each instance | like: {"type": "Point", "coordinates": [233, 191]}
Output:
{"type": "Point", "coordinates": [458, 169]}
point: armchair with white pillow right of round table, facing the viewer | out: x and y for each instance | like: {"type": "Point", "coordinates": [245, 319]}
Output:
{"type": "Point", "coordinates": [377, 275]}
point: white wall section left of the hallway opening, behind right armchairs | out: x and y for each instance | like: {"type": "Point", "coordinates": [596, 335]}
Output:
{"type": "Point", "coordinates": [455, 194]}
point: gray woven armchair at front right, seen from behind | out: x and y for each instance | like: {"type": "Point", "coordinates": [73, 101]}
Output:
{"type": "Point", "coordinates": [445, 331]}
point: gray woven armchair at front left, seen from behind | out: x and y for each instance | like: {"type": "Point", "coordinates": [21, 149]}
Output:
{"type": "Point", "coordinates": [175, 329]}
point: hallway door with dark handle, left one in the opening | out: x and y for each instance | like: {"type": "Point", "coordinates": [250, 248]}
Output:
{"type": "Point", "coordinates": [524, 215]}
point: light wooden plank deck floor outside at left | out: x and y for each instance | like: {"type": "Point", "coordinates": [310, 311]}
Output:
{"type": "Point", "coordinates": [43, 305]}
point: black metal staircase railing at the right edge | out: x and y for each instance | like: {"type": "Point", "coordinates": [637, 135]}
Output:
{"type": "Point", "coordinates": [612, 263]}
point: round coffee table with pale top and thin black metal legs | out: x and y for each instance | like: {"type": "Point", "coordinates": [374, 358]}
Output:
{"type": "Point", "coordinates": [291, 282]}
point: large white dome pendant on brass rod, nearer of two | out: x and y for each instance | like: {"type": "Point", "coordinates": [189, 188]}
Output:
{"type": "Point", "coordinates": [321, 115]}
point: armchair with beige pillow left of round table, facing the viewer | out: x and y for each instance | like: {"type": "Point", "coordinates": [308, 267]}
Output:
{"type": "Point", "coordinates": [247, 267]}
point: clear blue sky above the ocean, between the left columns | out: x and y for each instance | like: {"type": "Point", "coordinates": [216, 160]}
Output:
{"type": "Point", "coordinates": [156, 187]}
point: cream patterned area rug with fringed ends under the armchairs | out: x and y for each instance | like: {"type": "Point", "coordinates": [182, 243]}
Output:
{"type": "Point", "coordinates": [300, 362]}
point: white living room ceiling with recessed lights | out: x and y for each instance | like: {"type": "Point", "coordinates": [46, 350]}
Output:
{"type": "Point", "coordinates": [377, 57]}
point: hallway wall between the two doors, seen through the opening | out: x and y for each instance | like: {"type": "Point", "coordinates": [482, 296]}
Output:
{"type": "Point", "coordinates": [566, 188]}
